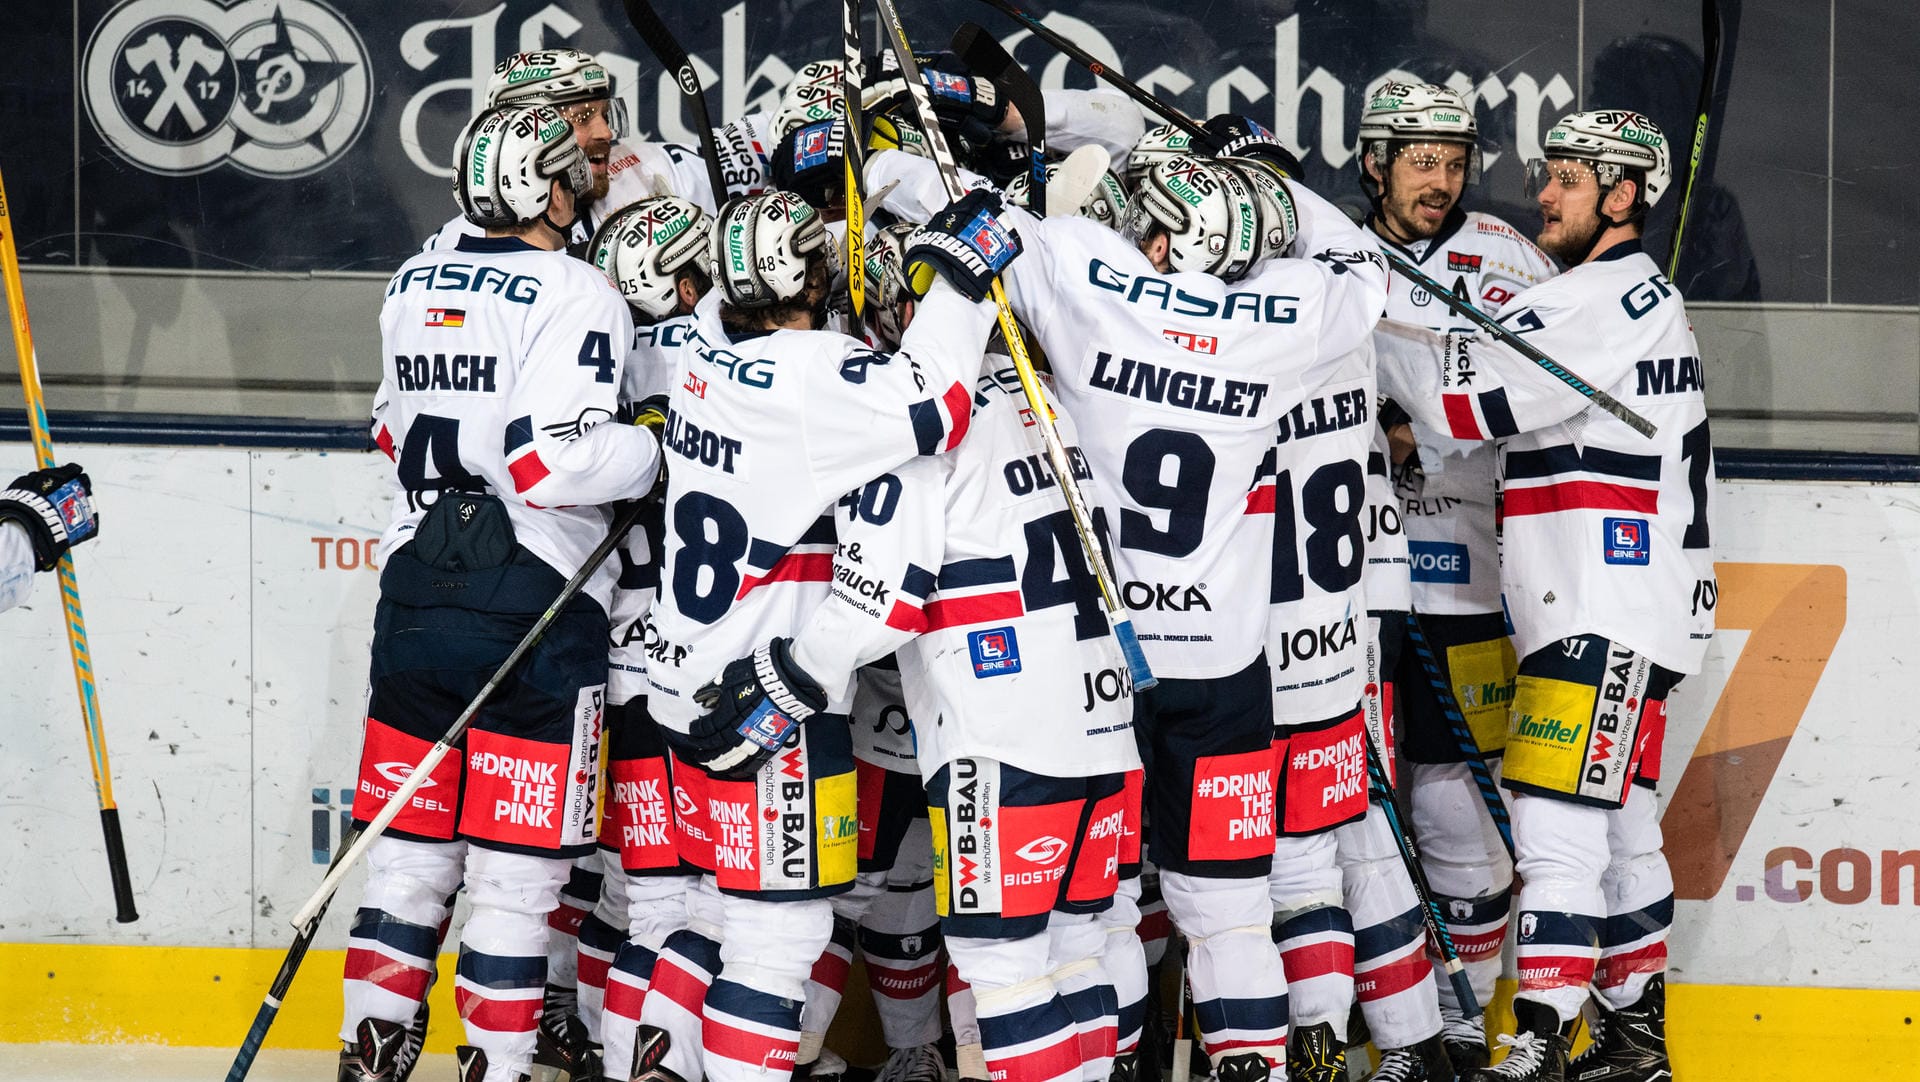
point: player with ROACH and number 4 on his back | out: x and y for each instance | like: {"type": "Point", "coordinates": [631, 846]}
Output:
{"type": "Point", "coordinates": [502, 369]}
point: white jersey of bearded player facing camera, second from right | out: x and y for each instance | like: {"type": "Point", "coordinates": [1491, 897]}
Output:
{"type": "Point", "coordinates": [1449, 506]}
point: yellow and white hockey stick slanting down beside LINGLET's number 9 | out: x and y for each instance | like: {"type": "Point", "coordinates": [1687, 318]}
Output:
{"type": "Point", "coordinates": [1030, 383]}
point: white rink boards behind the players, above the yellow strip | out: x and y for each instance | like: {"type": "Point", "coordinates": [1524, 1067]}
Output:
{"type": "Point", "coordinates": [233, 678]}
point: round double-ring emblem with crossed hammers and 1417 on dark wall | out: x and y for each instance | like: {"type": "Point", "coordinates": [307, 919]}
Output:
{"type": "Point", "coordinates": [274, 87]}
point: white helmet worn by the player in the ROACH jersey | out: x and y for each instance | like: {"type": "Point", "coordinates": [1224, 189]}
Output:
{"type": "Point", "coordinates": [506, 160]}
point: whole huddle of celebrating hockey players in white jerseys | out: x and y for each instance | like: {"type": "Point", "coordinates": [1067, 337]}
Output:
{"type": "Point", "coordinates": [999, 676]}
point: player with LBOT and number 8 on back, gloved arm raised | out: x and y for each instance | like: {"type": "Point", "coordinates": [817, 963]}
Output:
{"type": "Point", "coordinates": [771, 425]}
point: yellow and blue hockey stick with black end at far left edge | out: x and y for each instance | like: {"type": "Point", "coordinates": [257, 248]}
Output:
{"type": "Point", "coordinates": [70, 584]}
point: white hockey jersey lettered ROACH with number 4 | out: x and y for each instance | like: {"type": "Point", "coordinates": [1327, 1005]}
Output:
{"type": "Point", "coordinates": [502, 362]}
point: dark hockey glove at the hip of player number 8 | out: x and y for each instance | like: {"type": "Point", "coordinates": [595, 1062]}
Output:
{"type": "Point", "coordinates": [752, 713]}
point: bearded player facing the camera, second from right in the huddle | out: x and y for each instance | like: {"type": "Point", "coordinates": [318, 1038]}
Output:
{"type": "Point", "coordinates": [1418, 154]}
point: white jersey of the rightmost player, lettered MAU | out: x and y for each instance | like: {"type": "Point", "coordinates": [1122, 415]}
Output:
{"type": "Point", "coordinates": [1606, 532]}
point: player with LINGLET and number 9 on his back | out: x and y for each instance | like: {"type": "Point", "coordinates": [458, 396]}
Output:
{"type": "Point", "coordinates": [1180, 346]}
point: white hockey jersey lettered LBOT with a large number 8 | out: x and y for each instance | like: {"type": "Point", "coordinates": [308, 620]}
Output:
{"type": "Point", "coordinates": [765, 436]}
